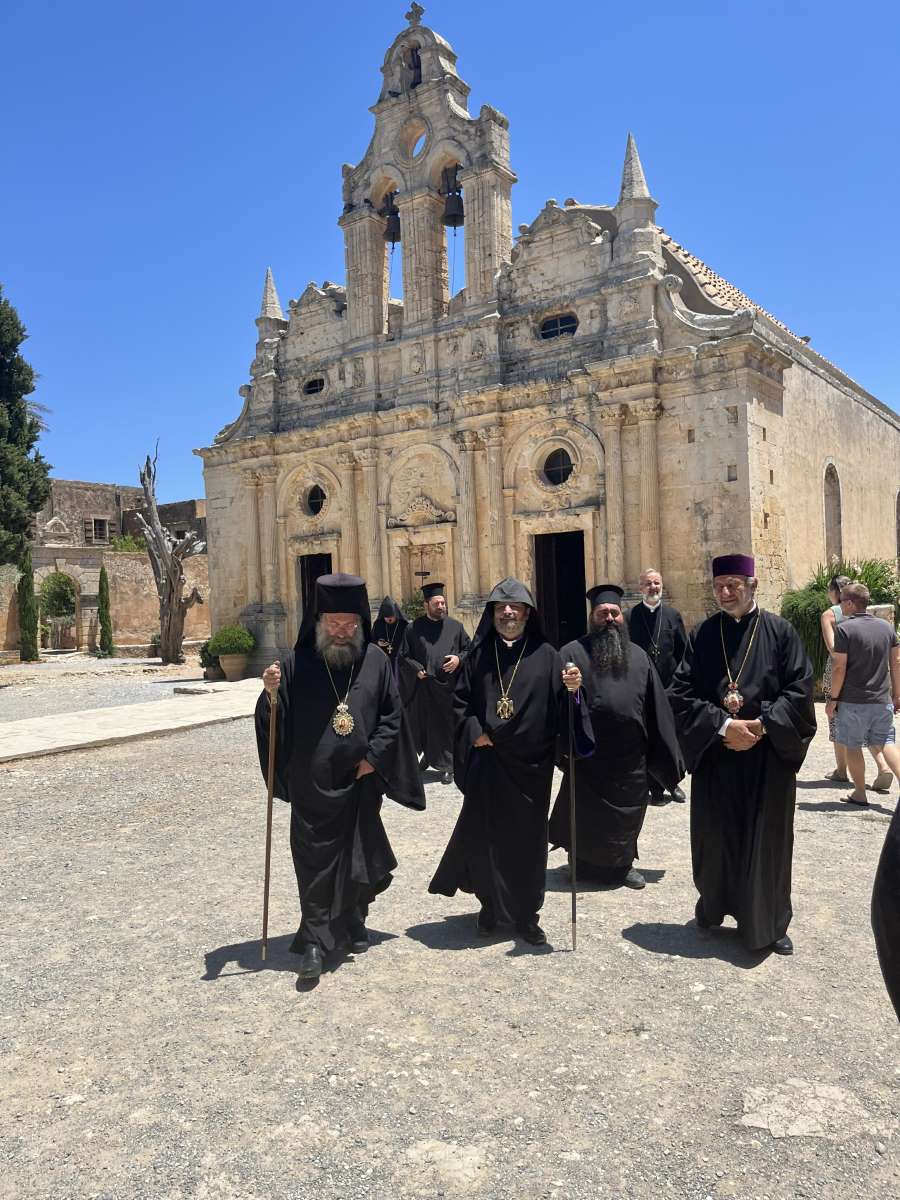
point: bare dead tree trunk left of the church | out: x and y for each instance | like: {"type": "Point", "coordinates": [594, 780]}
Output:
{"type": "Point", "coordinates": [167, 559]}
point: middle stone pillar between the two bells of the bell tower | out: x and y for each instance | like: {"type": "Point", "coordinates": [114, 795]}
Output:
{"type": "Point", "coordinates": [425, 285]}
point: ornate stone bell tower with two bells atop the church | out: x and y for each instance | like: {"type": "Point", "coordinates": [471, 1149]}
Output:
{"type": "Point", "coordinates": [430, 166]}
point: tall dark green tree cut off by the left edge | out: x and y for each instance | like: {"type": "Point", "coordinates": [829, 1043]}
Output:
{"type": "Point", "coordinates": [25, 485]}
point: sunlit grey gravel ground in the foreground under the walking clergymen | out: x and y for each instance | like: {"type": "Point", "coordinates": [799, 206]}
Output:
{"type": "Point", "coordinates": [148, 1055]}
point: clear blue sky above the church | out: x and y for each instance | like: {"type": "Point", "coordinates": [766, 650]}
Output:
{"type": "Point", "coordinates": [158, 158]}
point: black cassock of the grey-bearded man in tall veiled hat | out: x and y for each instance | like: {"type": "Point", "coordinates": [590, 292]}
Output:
{"type": "Point", "coordinates": [341, 854]}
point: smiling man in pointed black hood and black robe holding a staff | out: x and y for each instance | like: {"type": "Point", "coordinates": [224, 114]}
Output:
{"type": "Point", "coordinates": [511, 704]}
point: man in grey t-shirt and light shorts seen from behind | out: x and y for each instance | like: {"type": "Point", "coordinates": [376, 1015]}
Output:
{"type": "Point", "coordinates": [866, 688]}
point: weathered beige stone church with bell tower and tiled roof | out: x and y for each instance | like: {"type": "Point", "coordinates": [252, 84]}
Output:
{"type": "Point", "coordinates": [593, 401]}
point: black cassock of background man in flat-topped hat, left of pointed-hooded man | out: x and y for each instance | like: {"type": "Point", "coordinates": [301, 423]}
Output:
{"type": "Point", "coordinates": [430, 701]}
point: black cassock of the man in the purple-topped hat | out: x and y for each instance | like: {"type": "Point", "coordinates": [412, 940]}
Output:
{"type": "Point", "coordinates": [743, 802]}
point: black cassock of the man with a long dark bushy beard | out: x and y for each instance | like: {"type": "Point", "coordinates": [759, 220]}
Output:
{"type": "Point", "coordinates": [634, 735]}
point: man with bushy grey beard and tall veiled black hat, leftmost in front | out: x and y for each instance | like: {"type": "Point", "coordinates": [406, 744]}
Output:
{"type": "Point", "coordinates": [338, 755]}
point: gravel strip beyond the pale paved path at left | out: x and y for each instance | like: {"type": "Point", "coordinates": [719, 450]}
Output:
{"type": "Point", "coordinates": [69, 685]}
